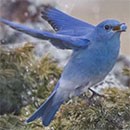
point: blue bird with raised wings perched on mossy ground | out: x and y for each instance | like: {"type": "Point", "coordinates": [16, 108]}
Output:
{"type": "Point", "coordinates": [95, 51]}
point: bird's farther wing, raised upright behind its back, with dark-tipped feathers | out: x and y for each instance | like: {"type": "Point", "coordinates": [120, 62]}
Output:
{"type": "Point", "coordinates": [61, 21]}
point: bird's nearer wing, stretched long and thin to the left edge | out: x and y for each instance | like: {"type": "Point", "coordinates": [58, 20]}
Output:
{"type": "Point", "coordinates": [58, 40]}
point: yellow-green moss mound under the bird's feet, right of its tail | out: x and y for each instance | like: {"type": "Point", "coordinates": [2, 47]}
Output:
{"type": "Point", "coordinates": [112, 112]}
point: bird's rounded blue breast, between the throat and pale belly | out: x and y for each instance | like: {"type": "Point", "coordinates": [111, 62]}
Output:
{"type": "Point", "coordinates": [91, 62]}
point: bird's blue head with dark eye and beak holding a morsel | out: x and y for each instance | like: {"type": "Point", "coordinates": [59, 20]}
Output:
{"type": "Point", "coordinates": [109, 28]}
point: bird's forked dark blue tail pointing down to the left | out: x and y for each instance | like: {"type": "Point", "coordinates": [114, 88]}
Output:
{"type": "Point", "coordinates": [47, 110]}
